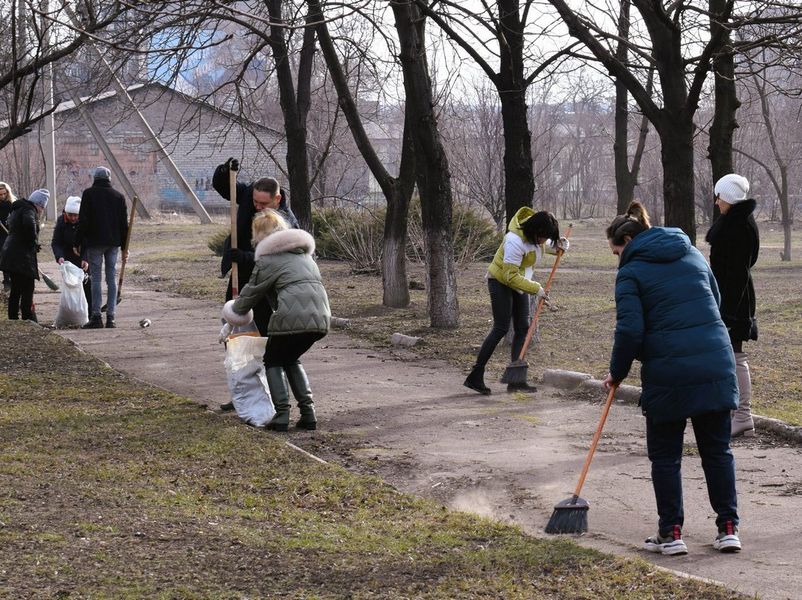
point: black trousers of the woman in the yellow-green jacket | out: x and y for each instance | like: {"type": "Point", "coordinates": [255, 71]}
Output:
{"type": "Point", "coordinates": [507, 305]}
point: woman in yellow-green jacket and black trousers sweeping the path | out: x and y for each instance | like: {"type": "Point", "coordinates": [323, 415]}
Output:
{"type": "Point", "coordinates": [509, 282]}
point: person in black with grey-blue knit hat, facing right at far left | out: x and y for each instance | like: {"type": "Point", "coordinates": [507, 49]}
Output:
{"type": "Point", "coordinates": [19, 253]}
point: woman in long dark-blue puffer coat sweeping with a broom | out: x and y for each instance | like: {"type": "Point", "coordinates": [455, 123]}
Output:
{"type": "Point", "coordinates": [667, 317]}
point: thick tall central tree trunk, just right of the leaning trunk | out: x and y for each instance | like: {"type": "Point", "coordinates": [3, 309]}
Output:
{"type": "Point", "coordinates": [434, 179]}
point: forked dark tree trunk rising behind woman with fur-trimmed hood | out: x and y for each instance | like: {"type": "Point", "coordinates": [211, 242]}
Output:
{"type": "Point", "coordinates": [294, 111]}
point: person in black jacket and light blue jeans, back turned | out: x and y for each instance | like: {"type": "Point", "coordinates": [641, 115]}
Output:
{"type": "Point", "coordinates": [102, 231]}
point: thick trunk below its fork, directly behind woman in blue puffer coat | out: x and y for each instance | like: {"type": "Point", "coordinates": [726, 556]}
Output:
{"type": "Point", "coordinates": [676, 138]}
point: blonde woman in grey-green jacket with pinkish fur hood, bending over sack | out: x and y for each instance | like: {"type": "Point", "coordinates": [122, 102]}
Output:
{"type": "Point", "coordinates": [288, 277]}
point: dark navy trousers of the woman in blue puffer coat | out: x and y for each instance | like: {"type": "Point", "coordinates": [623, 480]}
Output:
{"type": "Point", "coordinates": [664, 444]}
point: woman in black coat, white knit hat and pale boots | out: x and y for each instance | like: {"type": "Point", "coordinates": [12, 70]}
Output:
{"type": "Point", "coordinates": [734, 245]}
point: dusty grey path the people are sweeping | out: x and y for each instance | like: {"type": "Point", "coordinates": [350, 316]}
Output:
{"type": "Point", "coordinates": [509, 457]}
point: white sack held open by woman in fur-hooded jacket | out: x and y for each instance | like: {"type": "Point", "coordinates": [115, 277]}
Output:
{"type": "Point", "coordinates": [247, 381]}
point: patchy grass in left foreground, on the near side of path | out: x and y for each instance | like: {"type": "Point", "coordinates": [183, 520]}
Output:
{"type": "Point", "coordinates": [132, 492]}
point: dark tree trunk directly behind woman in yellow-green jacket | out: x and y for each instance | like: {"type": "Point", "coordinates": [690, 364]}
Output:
{"type": "Point", "coordinates": [519, 179]}
